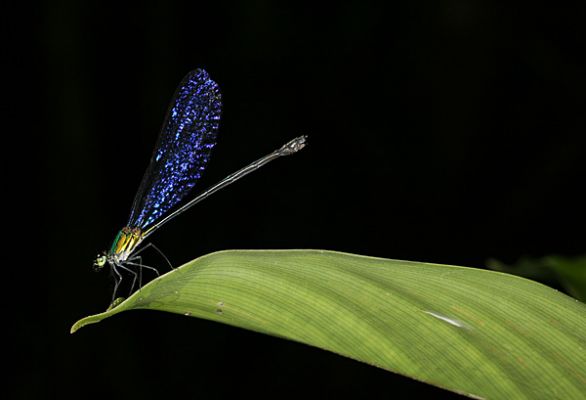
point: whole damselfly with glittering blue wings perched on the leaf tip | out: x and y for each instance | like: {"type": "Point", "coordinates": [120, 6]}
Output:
{"type": "Point", "coordinates": [178, 161]}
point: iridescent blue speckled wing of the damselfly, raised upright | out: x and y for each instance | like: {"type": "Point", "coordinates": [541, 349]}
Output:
{"type": "Point", "coordinates": [182, 151]}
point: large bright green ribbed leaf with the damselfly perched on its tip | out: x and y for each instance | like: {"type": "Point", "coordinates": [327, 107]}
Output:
{"type": "Point", "coordinates": [475, 332]}
